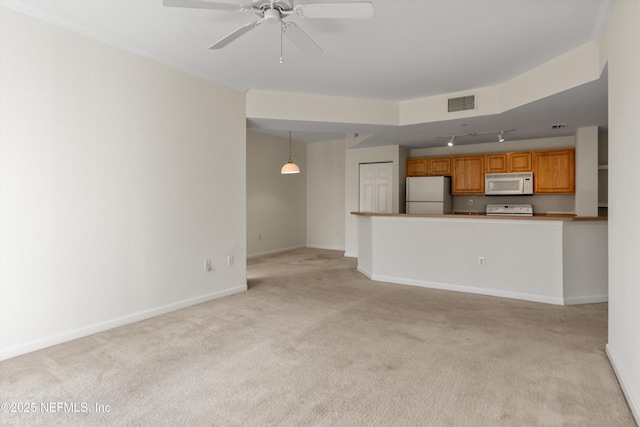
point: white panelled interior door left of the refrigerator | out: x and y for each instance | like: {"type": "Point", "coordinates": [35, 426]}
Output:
{"type": "Point", "coordinates": [376, 187]}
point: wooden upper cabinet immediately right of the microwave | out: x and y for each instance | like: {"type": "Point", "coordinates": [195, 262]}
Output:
{"type": "Point", "coordinates": [554, 171]}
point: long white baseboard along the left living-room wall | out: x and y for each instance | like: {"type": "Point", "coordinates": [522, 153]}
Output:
{"type": "Point", "coordinates": [63, 337]}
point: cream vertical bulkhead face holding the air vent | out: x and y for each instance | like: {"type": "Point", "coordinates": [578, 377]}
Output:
{"type": "Point", "coordinates": [572, 69]}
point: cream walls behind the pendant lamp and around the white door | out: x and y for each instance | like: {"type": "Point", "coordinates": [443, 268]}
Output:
{"type": "Point", "coordinates": [275, 210]}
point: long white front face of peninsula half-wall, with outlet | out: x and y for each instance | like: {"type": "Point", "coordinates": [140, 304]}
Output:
{"type": "Point", "coordinates": [443, 253]}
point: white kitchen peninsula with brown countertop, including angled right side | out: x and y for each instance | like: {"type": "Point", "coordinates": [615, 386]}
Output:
{"type": "Point", "coordinates": [549, 259]}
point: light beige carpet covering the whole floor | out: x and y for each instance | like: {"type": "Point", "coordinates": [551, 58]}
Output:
{"type": "Point", "coordinates": [313, 342]}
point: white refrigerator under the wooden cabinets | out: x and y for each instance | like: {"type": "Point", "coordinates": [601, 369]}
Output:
{"type": "Point", "coordinates": [429, 195]}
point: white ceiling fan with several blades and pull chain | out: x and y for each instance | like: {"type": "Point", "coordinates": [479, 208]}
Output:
{"type": "Point", "coordinates": [275, 11]}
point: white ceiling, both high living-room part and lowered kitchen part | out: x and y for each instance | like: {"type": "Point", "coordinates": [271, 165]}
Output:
{"type": "Point", "coordinates": [409, 49]}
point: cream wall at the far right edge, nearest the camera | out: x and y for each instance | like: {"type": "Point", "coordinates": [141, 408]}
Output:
{"type": "Point", "coordinates": [620, 46]}
